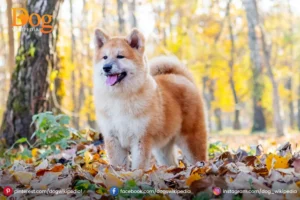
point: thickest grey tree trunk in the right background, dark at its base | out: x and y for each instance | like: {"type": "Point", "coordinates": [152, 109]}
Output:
{"type": "Point", "coordinates": [259, 123]}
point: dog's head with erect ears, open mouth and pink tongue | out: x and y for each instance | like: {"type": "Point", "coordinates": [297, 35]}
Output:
{"type": "Point", "coordinates": [119, 61]}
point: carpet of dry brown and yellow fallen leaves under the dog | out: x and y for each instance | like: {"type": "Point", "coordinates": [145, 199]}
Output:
{"type": "Point", "coordinates": [82, 172]}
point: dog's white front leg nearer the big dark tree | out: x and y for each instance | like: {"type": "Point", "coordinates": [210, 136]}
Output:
{"type": "Point", "coordinates": [117, 155]}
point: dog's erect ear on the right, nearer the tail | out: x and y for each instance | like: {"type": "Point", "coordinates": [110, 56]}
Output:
{"type": "Point", "coordinates": [136, 40]}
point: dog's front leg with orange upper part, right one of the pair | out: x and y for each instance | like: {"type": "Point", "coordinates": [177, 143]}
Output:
{"type": "Point", "coordinates": [141, 153]}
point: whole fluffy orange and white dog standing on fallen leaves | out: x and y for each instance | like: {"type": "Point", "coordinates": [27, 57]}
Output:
{"type": "Point", "coordinates": [145, 108]}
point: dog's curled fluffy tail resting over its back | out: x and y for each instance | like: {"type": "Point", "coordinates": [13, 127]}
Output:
{"type": "Point", "coordinates": [168, 65]}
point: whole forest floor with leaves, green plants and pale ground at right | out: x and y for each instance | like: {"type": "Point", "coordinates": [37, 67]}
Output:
{"type": "Point", "coordinates": [257, 166]}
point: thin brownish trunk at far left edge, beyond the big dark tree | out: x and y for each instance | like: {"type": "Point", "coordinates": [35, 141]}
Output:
{"type": "Point", "coordinates": [11, 47]}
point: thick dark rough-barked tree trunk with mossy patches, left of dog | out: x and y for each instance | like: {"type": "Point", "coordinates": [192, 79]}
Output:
{"type": "Point", "coordinates": [28, 93]}
